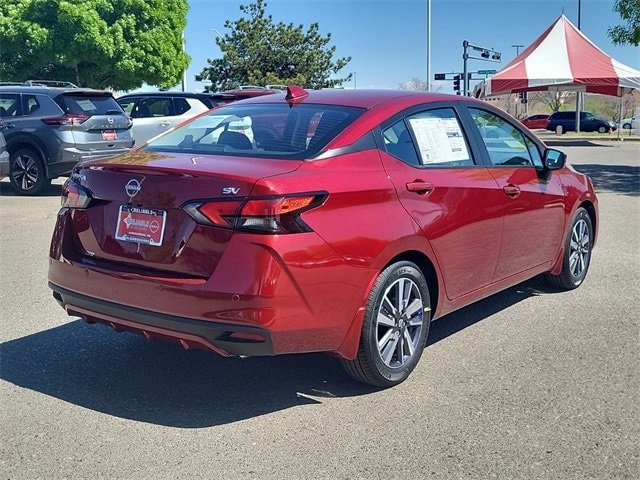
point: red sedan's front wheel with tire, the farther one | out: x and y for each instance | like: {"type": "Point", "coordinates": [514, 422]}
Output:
{"type": "Point", "coordinates": [577, 253]}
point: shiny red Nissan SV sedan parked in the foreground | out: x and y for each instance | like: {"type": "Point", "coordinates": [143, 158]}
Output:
{"type": "Point", "coordinates": [344, 223]}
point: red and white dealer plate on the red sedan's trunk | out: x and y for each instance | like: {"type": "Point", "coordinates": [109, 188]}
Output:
{"type": "Point", "coordinates": [141, 225]}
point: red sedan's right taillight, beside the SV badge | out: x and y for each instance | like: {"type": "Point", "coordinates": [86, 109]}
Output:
{"type": "Point", "coordinates": [279, 214]}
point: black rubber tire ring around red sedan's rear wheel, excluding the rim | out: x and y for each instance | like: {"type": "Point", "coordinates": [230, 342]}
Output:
{"type": "Point", "coordinates": [387, 375]}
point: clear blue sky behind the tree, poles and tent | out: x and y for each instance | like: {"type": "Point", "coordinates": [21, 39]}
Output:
{"type": "Point", "coordinates": [387, 39]}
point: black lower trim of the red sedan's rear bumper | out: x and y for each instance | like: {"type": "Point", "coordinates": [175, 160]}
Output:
{"type": "Point", "coordinates": [224, 339]}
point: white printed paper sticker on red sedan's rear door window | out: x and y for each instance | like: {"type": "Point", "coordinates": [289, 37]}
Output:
{"type": "Point", "coordinates": [439, 140]}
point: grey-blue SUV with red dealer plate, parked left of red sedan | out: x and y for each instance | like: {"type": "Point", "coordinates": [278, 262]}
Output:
{"type": "Point", "coordinates": [50, 129]}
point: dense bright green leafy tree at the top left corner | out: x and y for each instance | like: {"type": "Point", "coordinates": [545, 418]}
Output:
{"type": "Point", "coordinates": [94, 43]}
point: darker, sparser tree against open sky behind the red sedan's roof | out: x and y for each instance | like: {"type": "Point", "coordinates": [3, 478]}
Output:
{"type": "Point", "coordinates": [259, 52]}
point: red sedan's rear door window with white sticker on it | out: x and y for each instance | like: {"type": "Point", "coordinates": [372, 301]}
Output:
{"type": "Point", "coordinates": [439, 140]}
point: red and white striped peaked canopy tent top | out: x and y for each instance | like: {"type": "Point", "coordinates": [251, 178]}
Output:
{"type": "Point", "coordinates": [563, 59]}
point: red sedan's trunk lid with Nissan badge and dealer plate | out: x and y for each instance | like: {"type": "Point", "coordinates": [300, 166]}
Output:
{"type": "Point", "coordinates": [137, 219]}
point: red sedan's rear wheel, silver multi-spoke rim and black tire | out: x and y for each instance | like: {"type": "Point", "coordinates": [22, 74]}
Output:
{"type": "Point", "coordinates": [395, 327]}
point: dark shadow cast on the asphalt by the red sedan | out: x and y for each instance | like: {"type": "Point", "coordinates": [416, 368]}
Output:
{"type": "Point", "coordinates": [123, 375]}
